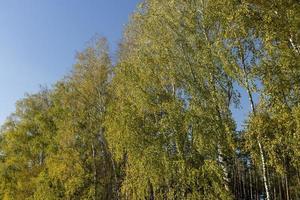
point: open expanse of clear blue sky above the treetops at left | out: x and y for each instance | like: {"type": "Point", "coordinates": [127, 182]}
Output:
{"type": "Point", "coordinates": [39, 38]}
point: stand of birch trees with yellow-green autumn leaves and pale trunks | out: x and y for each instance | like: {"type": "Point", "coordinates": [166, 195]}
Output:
{"type": "Point", "coordinates": [157, 122]}
